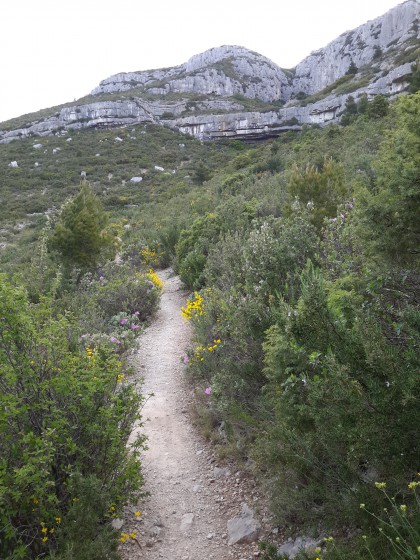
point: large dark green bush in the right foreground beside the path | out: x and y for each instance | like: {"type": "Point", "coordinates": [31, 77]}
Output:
{"type": "Point", "coordinates": [344, 401]}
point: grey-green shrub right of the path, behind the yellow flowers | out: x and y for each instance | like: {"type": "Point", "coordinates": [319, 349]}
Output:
{"type": "Point", "coordinates": [245, 273]}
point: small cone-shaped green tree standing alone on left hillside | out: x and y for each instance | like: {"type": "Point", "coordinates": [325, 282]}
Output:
{"type": "Point", "coordinates": [80, 235]}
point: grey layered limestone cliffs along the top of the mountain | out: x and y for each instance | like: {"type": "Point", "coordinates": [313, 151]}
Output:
{"type": "Point", "coordinates": [230, 91]}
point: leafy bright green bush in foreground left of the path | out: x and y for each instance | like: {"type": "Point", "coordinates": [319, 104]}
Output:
{"type": "Point", "coordinates": [66, 413]}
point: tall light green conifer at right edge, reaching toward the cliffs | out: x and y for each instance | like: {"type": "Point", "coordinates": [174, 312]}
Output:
{"type": "Point", "coordinates": [390, 209]}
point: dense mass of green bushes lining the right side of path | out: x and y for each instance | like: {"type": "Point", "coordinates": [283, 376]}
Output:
{"type": "Point", "coordinates": [310, 350]}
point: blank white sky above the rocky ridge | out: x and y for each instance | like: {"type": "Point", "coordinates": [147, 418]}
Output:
{"type": "Point", "coordinates": [54, 51]}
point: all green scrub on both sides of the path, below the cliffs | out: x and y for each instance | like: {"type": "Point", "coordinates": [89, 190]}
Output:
{"type": "Point", "coordinates": [302, 256]}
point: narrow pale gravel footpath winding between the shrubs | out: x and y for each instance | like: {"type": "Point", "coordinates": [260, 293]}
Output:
{"type": "Point", "coordinates": [190, 500]}
